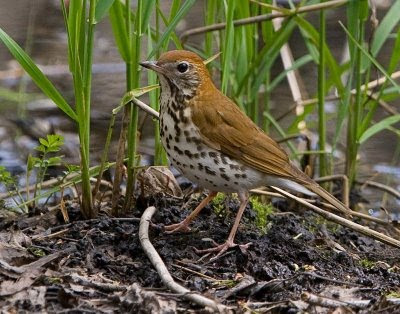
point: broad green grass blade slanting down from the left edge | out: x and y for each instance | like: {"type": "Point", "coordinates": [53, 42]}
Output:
{"type": "Point", "coordinates": [37, 76]}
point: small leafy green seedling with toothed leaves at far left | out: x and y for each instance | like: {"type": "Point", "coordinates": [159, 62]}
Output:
{"type": "Point", "coordinates": [49, 145]}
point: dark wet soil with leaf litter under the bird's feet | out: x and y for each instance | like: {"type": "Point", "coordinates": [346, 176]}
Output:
{"type": "Point", "coordinates": [92, 265]}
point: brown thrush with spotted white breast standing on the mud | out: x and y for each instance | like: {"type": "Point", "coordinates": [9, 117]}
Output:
{"type": "Point", "coordinates": [215, 145]}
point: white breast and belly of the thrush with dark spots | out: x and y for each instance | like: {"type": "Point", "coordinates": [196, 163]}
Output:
{"type": "Point", "coordinates": [186, 151]}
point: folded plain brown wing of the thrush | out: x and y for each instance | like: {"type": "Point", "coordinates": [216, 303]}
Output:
{"type": "Point", "coordinates": [226, 128]}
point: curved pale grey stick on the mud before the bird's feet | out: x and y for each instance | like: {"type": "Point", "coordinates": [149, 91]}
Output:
{"type": "Point", "coordinates": [162, 270]}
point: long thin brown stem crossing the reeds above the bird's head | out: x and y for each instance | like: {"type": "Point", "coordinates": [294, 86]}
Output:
{"type": "Point", "coordinates": [262, 18]}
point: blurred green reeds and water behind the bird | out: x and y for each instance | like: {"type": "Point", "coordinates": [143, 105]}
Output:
{"type": "Point", "coordinates": [316, 73]}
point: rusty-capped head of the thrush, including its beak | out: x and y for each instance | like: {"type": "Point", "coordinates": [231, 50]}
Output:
{"type": "Point", "coordinates": [183, 69]}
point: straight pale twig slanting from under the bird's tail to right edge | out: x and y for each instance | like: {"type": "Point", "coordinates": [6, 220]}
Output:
{"type": "Point", "coordinates": [343, 221]}
